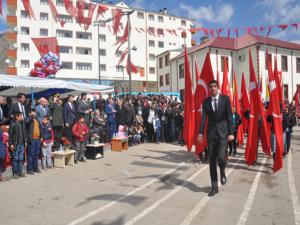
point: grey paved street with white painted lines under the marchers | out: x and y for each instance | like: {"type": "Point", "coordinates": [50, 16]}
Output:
{"type": "Point", "coordinates": [155, 184]}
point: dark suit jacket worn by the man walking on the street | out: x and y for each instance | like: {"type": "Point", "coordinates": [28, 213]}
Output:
{"type": "Point", "coordinates": [219, 123]}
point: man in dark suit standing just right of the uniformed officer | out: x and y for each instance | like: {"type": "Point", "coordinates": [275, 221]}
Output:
{"type": "Point", "coordinates": [69, 117]}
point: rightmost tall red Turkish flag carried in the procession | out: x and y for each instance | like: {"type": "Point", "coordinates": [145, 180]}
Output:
{"type": "Point", "coordinates": [274, 107]}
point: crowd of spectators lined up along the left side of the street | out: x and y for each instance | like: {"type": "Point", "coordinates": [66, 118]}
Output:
{"type": "Point", "coordinates": [37, 129]}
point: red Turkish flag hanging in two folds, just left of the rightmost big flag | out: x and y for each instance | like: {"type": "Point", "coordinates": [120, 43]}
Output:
{"type": "Point", "coordinates": [256, 108]}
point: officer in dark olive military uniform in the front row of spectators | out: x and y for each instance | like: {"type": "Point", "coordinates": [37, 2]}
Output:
{"type": "Point", "coordinates": [57, 120]}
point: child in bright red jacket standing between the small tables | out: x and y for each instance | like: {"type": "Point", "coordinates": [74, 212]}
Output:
{"type": "Point", "coordinates": [80, 132]}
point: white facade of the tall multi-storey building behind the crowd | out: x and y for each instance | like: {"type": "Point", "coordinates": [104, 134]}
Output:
{"type": "Point", "coordinates": [141, 40]}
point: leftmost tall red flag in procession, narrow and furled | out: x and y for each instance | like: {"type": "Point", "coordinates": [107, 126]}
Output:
{"type": "Point", "coordinates": [189, 111]}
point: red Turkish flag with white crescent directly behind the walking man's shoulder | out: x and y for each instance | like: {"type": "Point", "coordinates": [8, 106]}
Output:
{"type": "Point", "coordinates": [202, 93]}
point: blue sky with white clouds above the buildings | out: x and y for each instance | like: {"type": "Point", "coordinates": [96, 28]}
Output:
{"type": "Point", "coordinates": [226, 14]}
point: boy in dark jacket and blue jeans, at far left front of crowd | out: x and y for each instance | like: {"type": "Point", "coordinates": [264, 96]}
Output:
{"type": "Point", "coordinates": [17, 141]}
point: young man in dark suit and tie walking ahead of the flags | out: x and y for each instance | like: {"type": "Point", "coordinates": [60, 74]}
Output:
{"type": "Point", "coordinates": [217, 110]}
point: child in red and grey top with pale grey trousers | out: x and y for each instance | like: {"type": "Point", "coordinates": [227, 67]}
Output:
{"type": "Point", "coordinates": [47, 143]}
